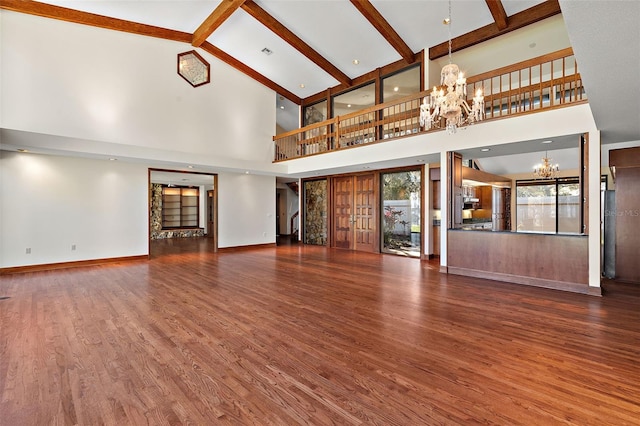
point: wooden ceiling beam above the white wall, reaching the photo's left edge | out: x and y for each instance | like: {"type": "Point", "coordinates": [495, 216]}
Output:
{"type": "Point", "coordinates": [86, 18]}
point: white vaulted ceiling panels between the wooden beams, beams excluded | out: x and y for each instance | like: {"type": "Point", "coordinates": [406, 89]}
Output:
{"type": "Point", "coordinates": [333, 28]}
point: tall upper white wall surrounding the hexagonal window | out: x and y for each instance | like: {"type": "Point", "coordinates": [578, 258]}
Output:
{"type": "Point", "coordinates": [106, 87]}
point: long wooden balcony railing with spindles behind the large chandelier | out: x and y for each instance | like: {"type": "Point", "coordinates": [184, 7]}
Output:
{"type": "Point", "coordinates": [538, 84]}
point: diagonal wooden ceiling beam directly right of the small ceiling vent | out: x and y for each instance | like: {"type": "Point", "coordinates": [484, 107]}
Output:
{"type": "Point", "coordinates": [284, 33]}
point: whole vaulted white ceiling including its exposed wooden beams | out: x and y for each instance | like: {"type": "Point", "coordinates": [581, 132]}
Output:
{"type": "Point", "coordinates": [302, 47]}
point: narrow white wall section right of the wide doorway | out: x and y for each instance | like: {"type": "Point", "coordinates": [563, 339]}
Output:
{"type": "Point", "coordinates": [246, 209]}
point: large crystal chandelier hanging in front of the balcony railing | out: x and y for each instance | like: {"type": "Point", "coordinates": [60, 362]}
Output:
{"type": "Point", "coordinates": [449, 102]}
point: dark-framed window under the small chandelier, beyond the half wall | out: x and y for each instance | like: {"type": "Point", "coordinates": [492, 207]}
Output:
{"type": "Point", "coordinates": [549, 206]}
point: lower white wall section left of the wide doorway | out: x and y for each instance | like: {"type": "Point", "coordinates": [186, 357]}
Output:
{"type": "Point", "coordinates": [50, 203]}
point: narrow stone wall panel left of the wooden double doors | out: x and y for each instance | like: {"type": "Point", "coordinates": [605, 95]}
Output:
{"type": "Point", "coordinates": [315, 212]}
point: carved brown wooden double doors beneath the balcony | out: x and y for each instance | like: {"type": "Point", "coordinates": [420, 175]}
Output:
{"type": "Point", "coordinates": [355, 207]}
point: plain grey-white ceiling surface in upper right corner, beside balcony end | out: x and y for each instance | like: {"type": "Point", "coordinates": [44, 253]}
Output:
{"type": "Point", "coordinates": [605, 36]}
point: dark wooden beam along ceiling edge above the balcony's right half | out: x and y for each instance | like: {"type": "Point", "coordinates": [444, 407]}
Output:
{"type": "Point", "coordinates": [519, 20]}
